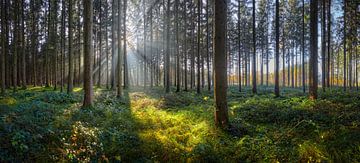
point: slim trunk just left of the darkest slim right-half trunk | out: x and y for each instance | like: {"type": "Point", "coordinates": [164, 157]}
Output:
{"type": "Point", "coordinates": [254, 90]}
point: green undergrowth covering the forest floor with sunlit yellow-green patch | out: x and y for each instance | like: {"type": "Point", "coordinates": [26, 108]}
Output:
{"type": "Point", "coordinates": [39, 124]}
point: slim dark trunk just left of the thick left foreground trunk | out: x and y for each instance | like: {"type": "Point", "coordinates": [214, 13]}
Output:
{"type": "Point", "coordinates": [70, 52]}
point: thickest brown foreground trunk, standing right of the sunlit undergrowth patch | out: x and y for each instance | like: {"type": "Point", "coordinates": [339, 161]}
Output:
{"type": "Point", "coordinates": [220, 75]}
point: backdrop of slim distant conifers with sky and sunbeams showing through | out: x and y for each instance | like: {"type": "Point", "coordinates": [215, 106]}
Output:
{"type": "Point", "coordinates": [167, 43]}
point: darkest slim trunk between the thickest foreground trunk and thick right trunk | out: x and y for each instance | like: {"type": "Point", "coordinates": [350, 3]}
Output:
{"type": "Point", "coordinates": [277, 34]}
